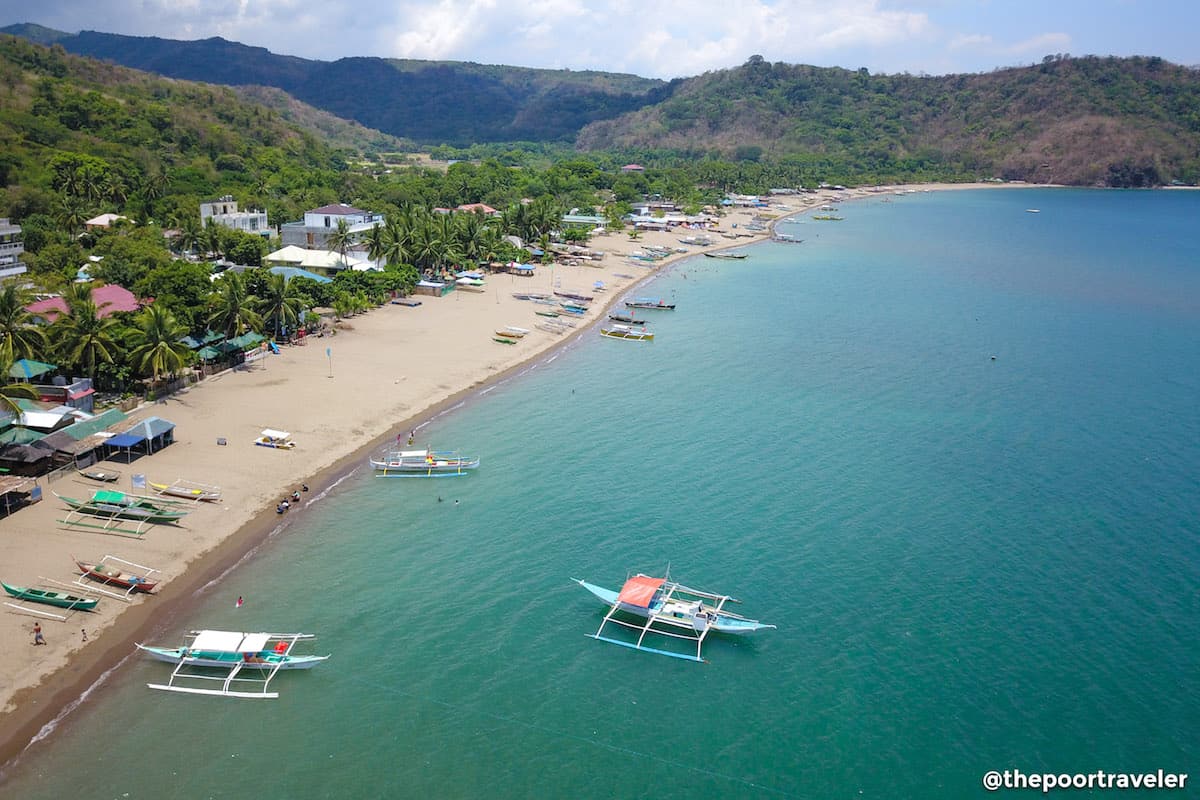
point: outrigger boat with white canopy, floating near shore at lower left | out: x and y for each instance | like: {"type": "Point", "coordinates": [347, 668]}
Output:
{"type": "Point", "coordinates": [231, 658]}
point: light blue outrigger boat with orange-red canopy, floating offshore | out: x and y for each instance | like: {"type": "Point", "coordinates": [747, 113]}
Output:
{"type": "Point", "coordinates": [670, 610]}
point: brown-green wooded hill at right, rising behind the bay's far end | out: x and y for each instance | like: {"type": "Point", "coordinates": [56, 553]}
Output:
{"type": "Point", "coordinates": [1084, 122]}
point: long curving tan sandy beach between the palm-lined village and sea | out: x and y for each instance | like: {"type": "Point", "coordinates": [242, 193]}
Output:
{"type": "Point", "coordinates": [386, 372]}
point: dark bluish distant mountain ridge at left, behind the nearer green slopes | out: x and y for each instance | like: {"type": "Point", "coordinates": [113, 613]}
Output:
{"type": "Point", "coordinates": [433, 103]}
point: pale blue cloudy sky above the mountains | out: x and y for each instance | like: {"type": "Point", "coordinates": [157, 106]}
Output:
{"type": "Point", "coordinates": [659, 39]}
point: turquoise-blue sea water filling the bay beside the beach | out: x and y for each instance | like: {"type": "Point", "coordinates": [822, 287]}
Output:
{"type": "Point", "coordinates": [950, 448]}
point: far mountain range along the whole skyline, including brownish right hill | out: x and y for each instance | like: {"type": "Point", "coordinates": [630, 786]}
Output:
{"type": "Point", "coordinates": [1107, 122]}
